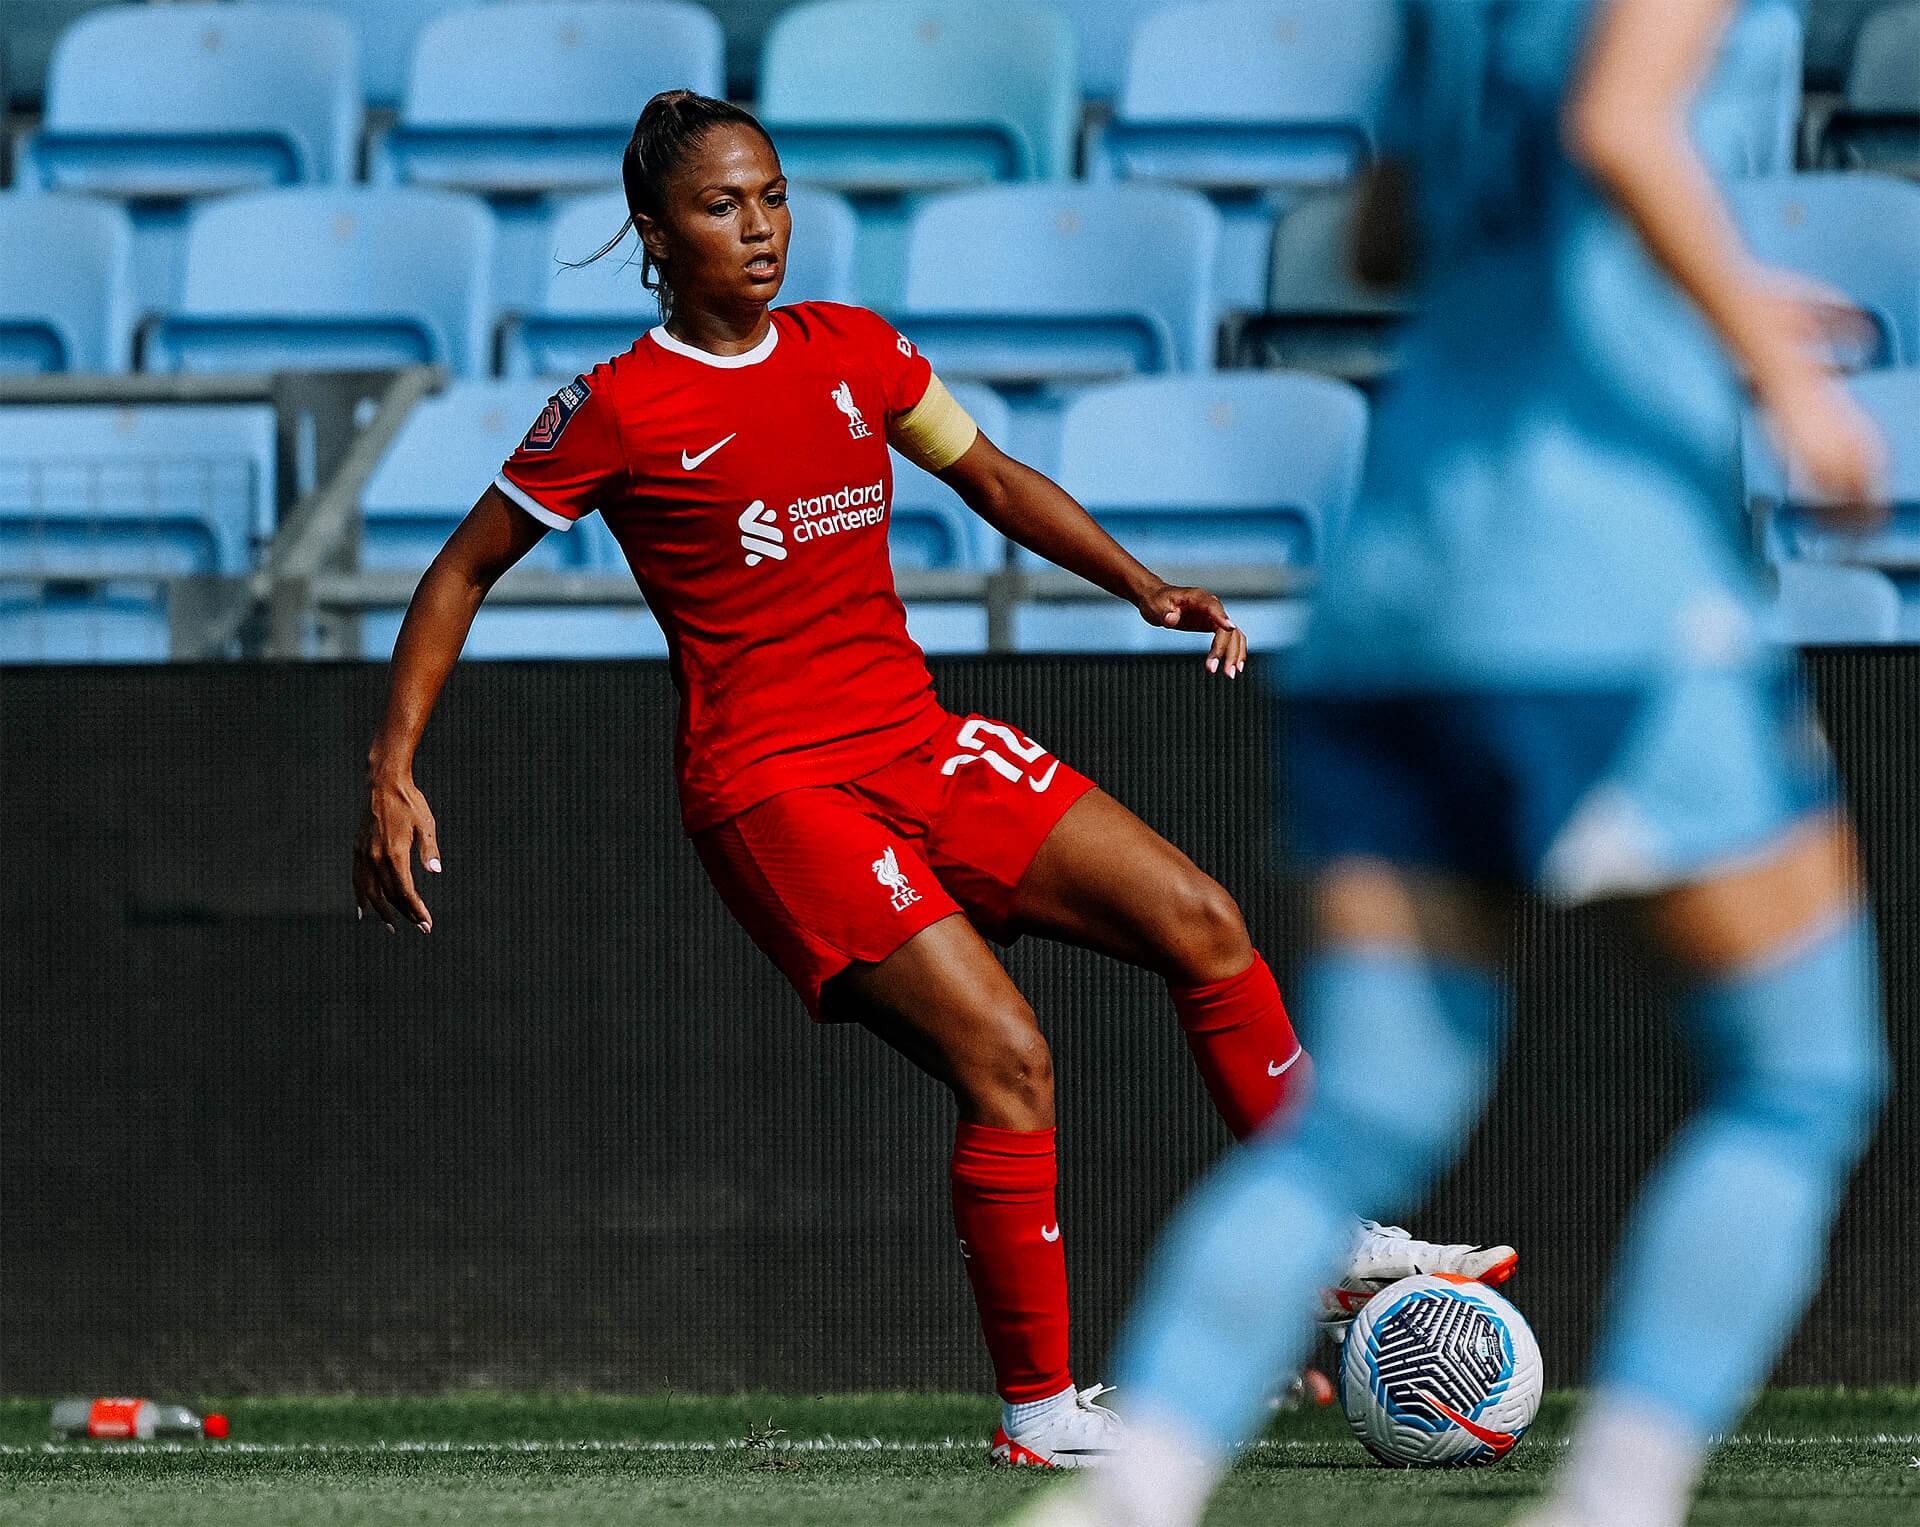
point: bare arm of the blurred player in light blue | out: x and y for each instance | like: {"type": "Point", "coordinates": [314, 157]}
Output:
{"type": "Point", "coordinates": [1627, 126]}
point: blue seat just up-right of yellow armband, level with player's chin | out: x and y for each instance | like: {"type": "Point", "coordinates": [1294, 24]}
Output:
{"type": "Point", "coordinates": [1063, 283]}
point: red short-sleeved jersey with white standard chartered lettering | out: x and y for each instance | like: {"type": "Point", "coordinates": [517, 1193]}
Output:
{"type": "Point", "coordinates": [752, 497]}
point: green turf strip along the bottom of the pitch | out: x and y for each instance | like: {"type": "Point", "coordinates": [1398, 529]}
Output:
{"type": "Point", "coordinates": [1833, 1459]}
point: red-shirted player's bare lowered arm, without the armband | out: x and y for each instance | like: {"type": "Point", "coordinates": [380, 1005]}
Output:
{"type": "Point", "coordinates": [398, 821]}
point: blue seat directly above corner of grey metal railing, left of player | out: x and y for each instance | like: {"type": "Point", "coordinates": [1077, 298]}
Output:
{"type": "Point", "coordinates": [333, 279]}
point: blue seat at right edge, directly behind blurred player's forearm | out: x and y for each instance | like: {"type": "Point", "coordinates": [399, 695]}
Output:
{"type": "Point", "coordinates": [1856, 233]}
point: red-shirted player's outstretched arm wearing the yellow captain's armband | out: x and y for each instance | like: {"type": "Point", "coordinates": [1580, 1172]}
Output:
{"type": "Point", "coordinates": [1034, 510]}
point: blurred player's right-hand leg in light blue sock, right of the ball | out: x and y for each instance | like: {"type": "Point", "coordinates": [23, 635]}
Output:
{"type": "Point", "coordinates": [1781, 1000]}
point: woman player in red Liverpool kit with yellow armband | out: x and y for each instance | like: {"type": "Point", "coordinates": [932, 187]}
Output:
{"type": "Point", "coordinates": [869, 840]}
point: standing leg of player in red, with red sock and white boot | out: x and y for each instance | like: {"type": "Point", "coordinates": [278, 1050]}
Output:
{"type": "Point", "coordinates": [949, 1007]}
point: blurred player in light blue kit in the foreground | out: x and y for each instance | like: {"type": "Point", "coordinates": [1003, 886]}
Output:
{"type": "Point", "coordinates": [1537, 664]}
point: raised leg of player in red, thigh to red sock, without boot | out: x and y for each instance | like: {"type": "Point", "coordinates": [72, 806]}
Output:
{"type": "Point", "coordinates": [1109, 883]}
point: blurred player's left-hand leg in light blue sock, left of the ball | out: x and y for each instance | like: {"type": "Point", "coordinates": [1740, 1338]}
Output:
{"type": "Point", "coordinates": [1408, 1025]}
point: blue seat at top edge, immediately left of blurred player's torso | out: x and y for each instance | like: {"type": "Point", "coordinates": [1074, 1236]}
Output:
{"type": "Point", "coordinates": [1245, 95]}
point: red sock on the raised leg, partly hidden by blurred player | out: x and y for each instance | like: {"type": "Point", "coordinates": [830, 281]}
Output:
{"type": "Point", "coordinates": [1245, 1046]}
